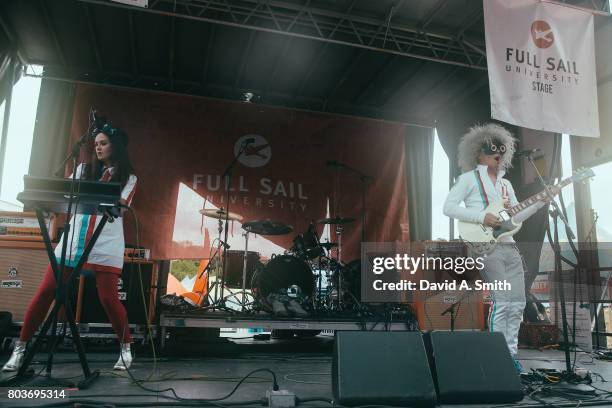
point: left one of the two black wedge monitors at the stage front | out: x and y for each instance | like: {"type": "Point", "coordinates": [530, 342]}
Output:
{"type": "Point", "coordinates": [381, 368]}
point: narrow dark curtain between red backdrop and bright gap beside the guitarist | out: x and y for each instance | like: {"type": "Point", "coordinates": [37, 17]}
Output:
{"type": "Point", "coordinates": [419, 164]}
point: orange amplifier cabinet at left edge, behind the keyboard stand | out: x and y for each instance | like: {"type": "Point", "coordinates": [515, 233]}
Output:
{"type": "Point", "coordinates": [22, 267]}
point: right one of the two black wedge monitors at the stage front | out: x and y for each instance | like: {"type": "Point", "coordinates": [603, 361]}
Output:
{"type": "Point", "coordinates": [473, 368]}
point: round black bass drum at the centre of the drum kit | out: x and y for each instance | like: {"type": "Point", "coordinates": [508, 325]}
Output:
{"type": "Point", "coordinates": [283, 272]}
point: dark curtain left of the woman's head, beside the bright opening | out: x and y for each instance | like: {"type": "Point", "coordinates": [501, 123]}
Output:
{"type": "Point", "coordinates": [52, 129]}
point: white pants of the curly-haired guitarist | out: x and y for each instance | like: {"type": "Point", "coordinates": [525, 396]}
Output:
{"type": "Point", "coordinates": [506, 314]}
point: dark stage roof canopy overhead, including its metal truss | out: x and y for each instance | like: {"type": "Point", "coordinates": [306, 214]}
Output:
{"type": "Point", "coordinates": [405, 61]}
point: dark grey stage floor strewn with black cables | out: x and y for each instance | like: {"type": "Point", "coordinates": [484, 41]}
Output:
{"type": "Point", "coordinates": [302, 366]}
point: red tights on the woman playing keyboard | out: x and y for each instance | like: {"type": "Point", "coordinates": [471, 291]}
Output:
{"type": "Point", "coordinates": [106, 283]}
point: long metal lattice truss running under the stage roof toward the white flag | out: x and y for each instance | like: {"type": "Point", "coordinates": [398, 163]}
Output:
{"type": "Point", "coordinates": [300, 19]}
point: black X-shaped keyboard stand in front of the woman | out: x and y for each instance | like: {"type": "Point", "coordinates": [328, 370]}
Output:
{"type": "Point", "coordinates": [25, 373]}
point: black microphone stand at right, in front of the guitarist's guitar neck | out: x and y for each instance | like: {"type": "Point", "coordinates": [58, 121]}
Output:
{"type": "Point", "coordinates": [556, 215]}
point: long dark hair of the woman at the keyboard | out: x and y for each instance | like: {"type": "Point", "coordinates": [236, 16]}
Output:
{"type": "Point", "coordinates": [119, 156]}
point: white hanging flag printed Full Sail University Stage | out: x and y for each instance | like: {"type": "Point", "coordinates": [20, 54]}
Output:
{"type": "Point", "coordinates": [541, 63]}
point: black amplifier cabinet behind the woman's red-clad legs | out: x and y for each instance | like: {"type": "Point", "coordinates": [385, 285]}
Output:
{"type": "Point", "coordinates": [130, 295]}
